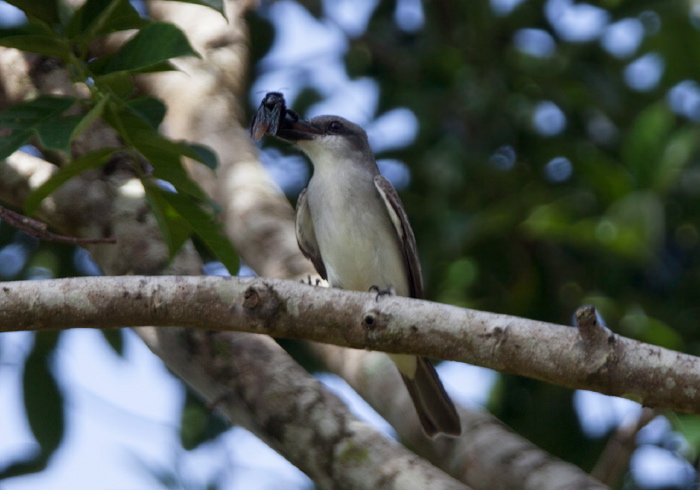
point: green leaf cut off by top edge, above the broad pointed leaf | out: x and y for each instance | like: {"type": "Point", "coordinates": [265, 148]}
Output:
{"type": "Point", "coordinates": [98, 17]}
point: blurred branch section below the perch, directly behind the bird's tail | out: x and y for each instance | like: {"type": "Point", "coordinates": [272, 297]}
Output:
{"type": "Point", "coordinates": [488, 455]}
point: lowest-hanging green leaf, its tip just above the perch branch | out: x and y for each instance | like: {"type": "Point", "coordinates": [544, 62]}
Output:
{"type": "Point", "coordinates": [206, 227]}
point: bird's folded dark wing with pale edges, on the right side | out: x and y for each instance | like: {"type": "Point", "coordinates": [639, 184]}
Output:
{"type": "Point", "coordinates": [405, 233]}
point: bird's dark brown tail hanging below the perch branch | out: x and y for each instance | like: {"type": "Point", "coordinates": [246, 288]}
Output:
{"type": "Point", "coordinates": [436, 412]}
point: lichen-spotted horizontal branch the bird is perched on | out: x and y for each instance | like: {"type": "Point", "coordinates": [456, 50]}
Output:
{"type": "Point", "coordinates": [654, 376]}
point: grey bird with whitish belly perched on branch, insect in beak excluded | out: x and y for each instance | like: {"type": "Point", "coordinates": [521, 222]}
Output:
{"type": "Point", "coordinates": [351, 224]}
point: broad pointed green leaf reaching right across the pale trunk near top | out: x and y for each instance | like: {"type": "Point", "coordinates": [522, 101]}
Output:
{"type": "Point", "coordinates": [154, 44]}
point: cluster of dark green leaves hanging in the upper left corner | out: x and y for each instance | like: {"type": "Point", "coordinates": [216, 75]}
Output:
{"type": "Point", "coordinates": [180, 206]}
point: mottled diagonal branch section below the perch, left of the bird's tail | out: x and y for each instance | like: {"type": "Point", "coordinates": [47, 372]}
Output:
{"type": "Point", "coordinates": [256, 384]}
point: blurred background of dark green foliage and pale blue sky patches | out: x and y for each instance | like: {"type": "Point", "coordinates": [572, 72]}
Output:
{"type": "Point", "coordinates": [547, 156]}
